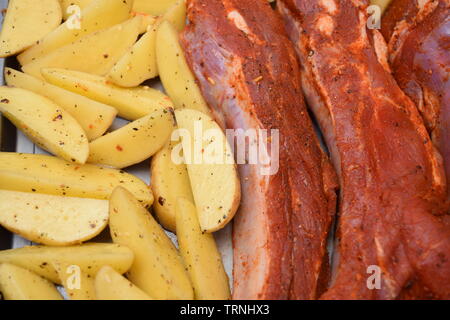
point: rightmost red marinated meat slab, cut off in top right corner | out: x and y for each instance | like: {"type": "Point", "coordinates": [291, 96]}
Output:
{"type": "Point", "coordinates": [418, 34]}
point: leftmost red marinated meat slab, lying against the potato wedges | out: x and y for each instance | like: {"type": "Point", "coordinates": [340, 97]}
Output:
{"type": "Point", "coordinates": [249, 75]}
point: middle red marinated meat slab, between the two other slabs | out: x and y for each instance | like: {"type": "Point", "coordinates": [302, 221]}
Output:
{"type": "Point", "coordinates": [391, 242]}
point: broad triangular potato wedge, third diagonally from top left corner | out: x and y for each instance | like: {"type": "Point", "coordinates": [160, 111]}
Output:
{"type": "Point", "coordinates": [104, 48]}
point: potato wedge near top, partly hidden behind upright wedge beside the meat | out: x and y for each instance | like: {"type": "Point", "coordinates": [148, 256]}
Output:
{"type": "Point", "coordinates": [139, 63]}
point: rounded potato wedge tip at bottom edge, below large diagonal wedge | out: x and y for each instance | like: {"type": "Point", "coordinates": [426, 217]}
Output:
{"type": "Point", "coordinates": [110, 285]}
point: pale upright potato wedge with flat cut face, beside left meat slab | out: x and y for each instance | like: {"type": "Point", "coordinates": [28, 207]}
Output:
{"type": "Point", "coordinates": [212, 171]}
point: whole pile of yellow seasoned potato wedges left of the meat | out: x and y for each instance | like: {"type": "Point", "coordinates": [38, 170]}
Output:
{"type": "Point", "coordinates": [83, 65]}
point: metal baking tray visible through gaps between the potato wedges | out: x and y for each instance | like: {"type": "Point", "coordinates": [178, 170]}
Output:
{"type": "Point", "coordinates": [12, 140]}
